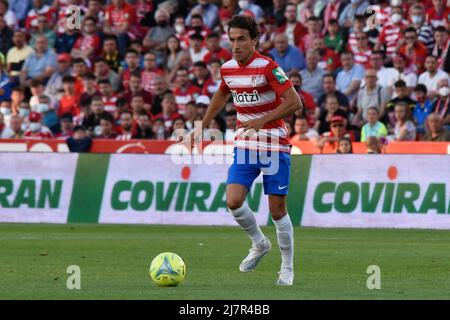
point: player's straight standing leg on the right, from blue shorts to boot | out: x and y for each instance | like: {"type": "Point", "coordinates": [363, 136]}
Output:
{"type": "Point", "coordinates": [276, 183]}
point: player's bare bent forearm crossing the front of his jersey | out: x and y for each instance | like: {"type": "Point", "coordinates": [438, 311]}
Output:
{"type": "Point", "coordinates": [291, 103]}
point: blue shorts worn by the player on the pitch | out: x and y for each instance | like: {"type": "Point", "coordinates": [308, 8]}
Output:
{"type": "Point", "coordinates": [248, 164]}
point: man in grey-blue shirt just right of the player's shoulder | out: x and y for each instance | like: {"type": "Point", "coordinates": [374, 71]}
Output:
{"type": "Point", "coordinates": [312, 75]}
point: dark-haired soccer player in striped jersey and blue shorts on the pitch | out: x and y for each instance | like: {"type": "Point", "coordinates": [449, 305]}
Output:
{"type": "Point", "coordinates": [263, 96]}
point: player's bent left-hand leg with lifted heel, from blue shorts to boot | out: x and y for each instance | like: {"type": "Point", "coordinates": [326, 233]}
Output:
{"type": "Point", "coordinates": [239, 181]}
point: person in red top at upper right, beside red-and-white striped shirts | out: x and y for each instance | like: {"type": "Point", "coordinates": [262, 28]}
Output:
{"type": "Point", "coordinates": [413, 49]}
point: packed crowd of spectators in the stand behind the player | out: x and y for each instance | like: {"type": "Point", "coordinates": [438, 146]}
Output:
{"type": "Point", "coordinates": [140, 69]}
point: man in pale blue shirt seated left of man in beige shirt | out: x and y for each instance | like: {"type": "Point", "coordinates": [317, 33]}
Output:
{"type": "Point", "coordinates": [348, 80]}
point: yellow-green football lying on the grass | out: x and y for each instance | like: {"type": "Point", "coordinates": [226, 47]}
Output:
{"type": "Point", "coordinates": [167, 269]}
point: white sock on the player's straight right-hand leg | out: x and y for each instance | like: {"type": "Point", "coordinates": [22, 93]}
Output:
{"type": "Point", "coordinates": [285, 236]}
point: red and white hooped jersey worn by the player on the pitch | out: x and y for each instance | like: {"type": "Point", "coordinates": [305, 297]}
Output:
{"type": "Point", "coordinates": [256, 88]}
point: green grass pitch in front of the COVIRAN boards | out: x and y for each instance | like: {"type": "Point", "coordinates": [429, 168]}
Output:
{"type": "Point", "coordinates": [114, 262]}
